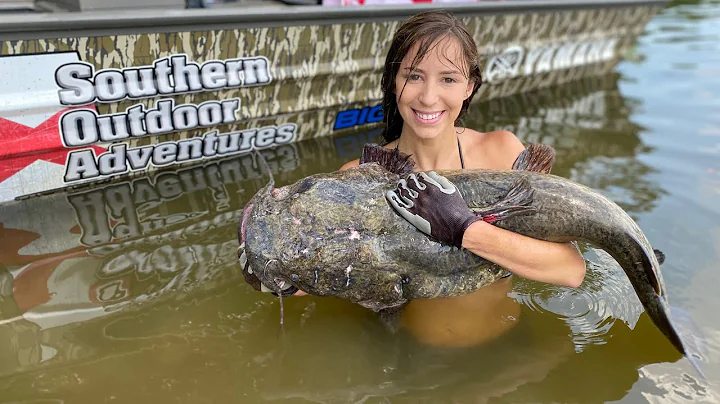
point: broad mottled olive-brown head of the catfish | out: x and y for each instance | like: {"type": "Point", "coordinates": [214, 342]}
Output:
{"type": "Point", "coordinates": [320, 235]}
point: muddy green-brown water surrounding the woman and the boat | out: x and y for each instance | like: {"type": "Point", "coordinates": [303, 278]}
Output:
{"type": "Point", "coordinates": [157, 311]}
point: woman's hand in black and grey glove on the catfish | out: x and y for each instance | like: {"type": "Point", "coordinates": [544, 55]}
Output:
{"type": "Point", "coordinates": [434, 206]}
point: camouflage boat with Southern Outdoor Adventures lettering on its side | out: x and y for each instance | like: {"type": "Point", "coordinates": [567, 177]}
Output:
{"type": "Point", "coordinates": [99, 95]}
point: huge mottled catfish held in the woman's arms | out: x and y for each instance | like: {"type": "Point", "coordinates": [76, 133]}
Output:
{"type": "Point", "coordinates": [335, 234]}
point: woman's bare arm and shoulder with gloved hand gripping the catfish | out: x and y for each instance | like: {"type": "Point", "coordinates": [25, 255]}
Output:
{"type": "Point", "coordinates": [445, 216]}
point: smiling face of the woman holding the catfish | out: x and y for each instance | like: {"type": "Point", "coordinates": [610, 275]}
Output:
{"type": "Point", "coordinates": [435, 90]}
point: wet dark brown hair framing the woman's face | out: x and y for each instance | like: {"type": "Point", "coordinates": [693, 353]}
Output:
{"type": "Point", "coordinates": [425, 29]}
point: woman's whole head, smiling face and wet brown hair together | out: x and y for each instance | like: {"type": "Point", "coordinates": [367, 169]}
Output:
{"type": "Point", "coordinates": [431, 75]}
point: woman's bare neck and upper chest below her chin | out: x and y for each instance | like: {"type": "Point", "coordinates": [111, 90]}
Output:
{"type": "Point", "coordinates": [439, 153]}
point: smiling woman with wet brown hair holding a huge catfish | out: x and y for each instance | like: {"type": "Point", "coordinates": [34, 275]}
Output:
{"type": "Point", "coordinates": [431, 75]}
